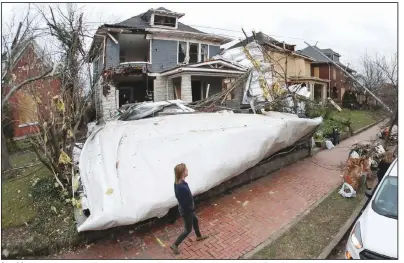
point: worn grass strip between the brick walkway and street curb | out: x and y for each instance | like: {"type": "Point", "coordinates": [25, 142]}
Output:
{"type": "Point", "coordinates": [307, 238]}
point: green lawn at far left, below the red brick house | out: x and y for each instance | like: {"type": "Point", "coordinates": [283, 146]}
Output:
{"type": "Point", "coordinates": [17, 204]}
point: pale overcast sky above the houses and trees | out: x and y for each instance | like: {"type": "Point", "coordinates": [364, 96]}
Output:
{"type": "Point", "coordinates": [349, 29]}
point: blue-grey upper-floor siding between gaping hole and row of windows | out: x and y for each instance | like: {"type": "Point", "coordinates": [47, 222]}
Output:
{"type": "Point", "coordinates": [164, 55]}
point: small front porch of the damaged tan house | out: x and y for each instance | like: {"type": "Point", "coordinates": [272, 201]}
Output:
{"type": "Point", "coordinates": [317, 87]}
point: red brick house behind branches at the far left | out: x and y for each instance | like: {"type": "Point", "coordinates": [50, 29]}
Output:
{"type": "Point", "coordinates": [29, 62]}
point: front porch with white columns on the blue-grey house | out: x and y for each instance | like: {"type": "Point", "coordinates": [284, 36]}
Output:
{"type": "Point", "coordinates": [196, 81]}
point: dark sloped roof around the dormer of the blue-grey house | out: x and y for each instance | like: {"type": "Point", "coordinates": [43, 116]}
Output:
{"type": "Point", "coordinates": [138, 22]}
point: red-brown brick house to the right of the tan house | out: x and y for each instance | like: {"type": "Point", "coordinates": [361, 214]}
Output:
{"type": "Point", "coordinates": [324, 69]}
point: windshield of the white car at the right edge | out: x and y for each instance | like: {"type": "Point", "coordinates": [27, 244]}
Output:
{"type": "Point", "coordinates": [385, 202]}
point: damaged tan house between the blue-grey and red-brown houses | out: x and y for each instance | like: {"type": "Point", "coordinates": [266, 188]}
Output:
{"type": "Point", "coordinates": [297, 66]}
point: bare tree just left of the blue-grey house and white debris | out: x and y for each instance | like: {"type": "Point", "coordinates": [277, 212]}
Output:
{"type": "Point", "coordinates": [59, 128]}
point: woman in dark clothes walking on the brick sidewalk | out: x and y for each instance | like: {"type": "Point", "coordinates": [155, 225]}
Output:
{"type": "Point", "coordinates": [186, 207]}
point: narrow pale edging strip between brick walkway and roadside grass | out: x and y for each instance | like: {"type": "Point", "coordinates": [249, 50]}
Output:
{"type": "Point", "coordinates": [285, 228]}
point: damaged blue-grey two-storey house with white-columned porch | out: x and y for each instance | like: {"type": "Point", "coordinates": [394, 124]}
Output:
{"type": "Point", "coordinates": [154, 57]}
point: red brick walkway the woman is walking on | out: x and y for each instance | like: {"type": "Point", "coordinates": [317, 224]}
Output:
{"type": "Point", "coordinates": [240, 221]}
